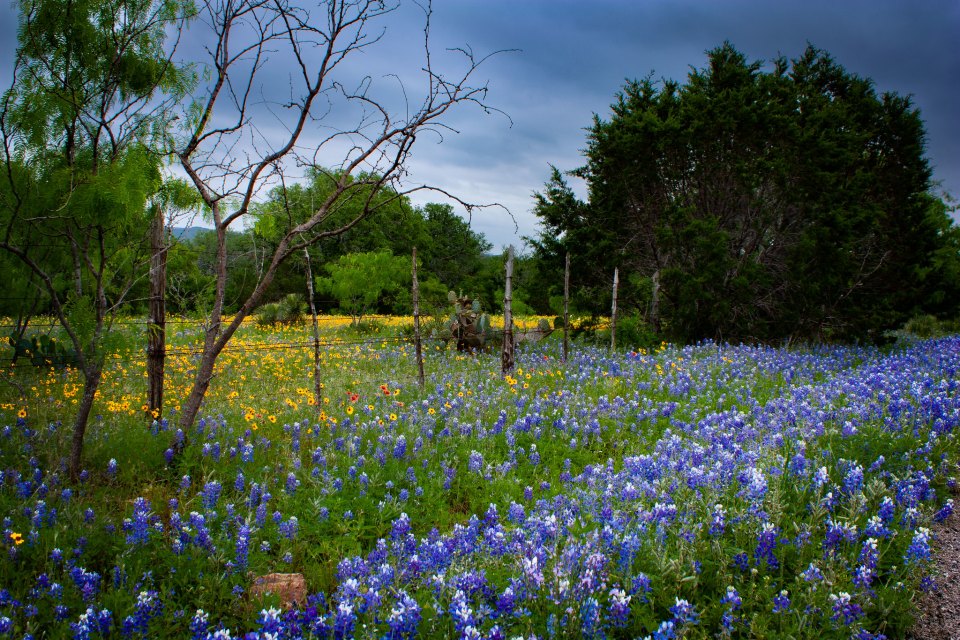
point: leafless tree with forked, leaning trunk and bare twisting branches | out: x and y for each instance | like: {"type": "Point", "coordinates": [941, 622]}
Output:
{"type": "Point", "coordinates": [231, 159]}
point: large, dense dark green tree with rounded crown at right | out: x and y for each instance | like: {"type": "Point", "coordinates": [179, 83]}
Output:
{"type": "Point", "coordinates": [757, 202]}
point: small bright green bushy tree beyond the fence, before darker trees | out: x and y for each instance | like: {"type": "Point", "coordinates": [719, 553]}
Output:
{"type": "Point", "coordinates": [360, 281]}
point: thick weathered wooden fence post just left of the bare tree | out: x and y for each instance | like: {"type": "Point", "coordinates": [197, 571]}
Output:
{"type": "Point", "coordinates": [156, 326]}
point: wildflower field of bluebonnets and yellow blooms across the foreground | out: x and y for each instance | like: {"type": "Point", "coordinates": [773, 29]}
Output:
{"type": "Point", "coordinates": [702, 491]}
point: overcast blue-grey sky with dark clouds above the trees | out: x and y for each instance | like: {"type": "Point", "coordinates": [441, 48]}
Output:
{"type": "Point", "coordinates": [573, 56]}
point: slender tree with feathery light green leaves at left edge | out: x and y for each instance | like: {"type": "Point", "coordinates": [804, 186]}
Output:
{"type": "Point", "coordinates": [92, 84]}
